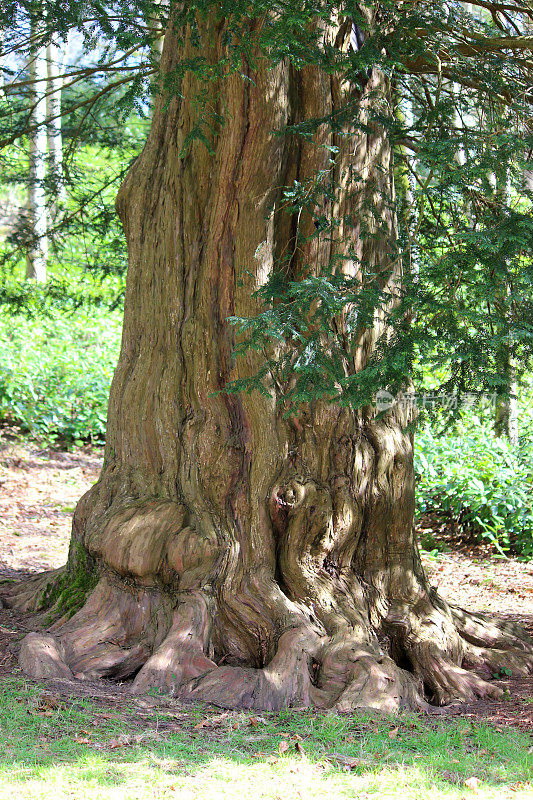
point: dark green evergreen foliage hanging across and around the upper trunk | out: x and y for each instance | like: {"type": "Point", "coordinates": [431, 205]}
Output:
{"type": "Point", "coordinates": [458, 118]}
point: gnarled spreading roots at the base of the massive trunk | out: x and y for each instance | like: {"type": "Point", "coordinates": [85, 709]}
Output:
{"type": "Point", "coordinates": [135, 633]}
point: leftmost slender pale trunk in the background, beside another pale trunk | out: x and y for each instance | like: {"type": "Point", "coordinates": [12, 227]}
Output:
{"type": "Point", "coordinates": [36, 214]}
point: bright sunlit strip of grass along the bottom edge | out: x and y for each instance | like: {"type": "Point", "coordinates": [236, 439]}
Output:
{"type": "Point", "coordinates": [155, 774]}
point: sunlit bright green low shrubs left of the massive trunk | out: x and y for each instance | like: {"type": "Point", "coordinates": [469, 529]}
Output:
{"type": "Point", "coordinates": [55, 374]}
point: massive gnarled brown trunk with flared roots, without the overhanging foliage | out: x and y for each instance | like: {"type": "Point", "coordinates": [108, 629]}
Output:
{"type": "Point", "coordinates": [243, 558]}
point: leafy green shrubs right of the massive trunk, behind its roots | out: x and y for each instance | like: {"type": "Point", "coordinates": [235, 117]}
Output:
{"type": "Point", "coordinates": [479, 482]}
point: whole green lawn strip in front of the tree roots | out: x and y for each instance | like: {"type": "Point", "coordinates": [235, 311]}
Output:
{"type": "Point", "coordinates": [59, 747]}
